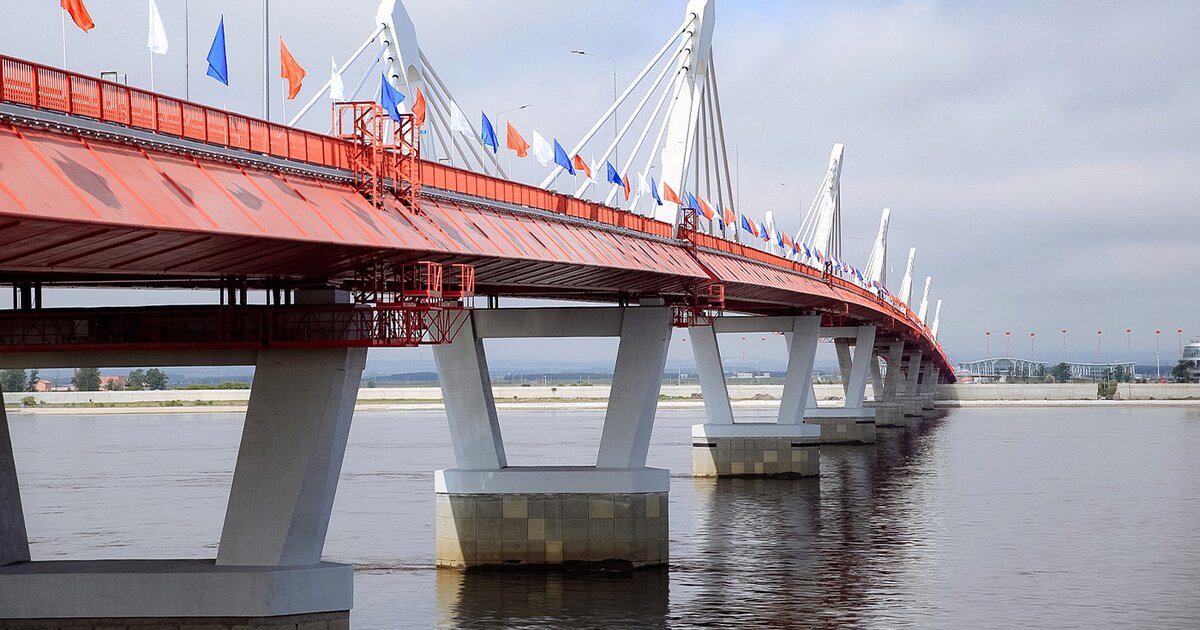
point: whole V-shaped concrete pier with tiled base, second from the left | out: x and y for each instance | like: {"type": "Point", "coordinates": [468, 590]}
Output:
{"type": "Point", "coordinates": [613, 514]}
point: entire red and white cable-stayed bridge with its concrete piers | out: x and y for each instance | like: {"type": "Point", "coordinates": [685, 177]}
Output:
{"type": "Point", "coordinates": [361, 242]}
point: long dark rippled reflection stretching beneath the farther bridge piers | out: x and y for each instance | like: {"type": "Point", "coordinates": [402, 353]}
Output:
{"type": "Point", "coordinates": [808, 551]}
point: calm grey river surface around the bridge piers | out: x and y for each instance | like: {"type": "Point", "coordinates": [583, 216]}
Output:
{"type": "Point", "coordinates": [1071, 518]}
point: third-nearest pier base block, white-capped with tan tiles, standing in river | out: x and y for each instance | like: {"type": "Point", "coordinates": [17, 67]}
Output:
{"type": "Point", "coordinates": [755, 451]}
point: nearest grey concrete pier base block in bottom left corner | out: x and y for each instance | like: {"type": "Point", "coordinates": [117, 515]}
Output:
{"type": "Point", "coordinates": [99, 592]}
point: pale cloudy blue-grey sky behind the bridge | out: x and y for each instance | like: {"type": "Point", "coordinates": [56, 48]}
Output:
{"type": "Point", "coordinates": [1042, 157]}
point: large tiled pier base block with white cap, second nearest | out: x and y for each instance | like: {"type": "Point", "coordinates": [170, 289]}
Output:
{"type": "Point", "coordinates": [608, 519]}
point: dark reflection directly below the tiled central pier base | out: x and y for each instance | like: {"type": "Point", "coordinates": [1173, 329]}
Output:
{"type": "Point", "coordinates": [551, 599]}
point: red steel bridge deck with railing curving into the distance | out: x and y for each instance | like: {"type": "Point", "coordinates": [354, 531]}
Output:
{"type": "Point", "coordinates": [95, 202]}
